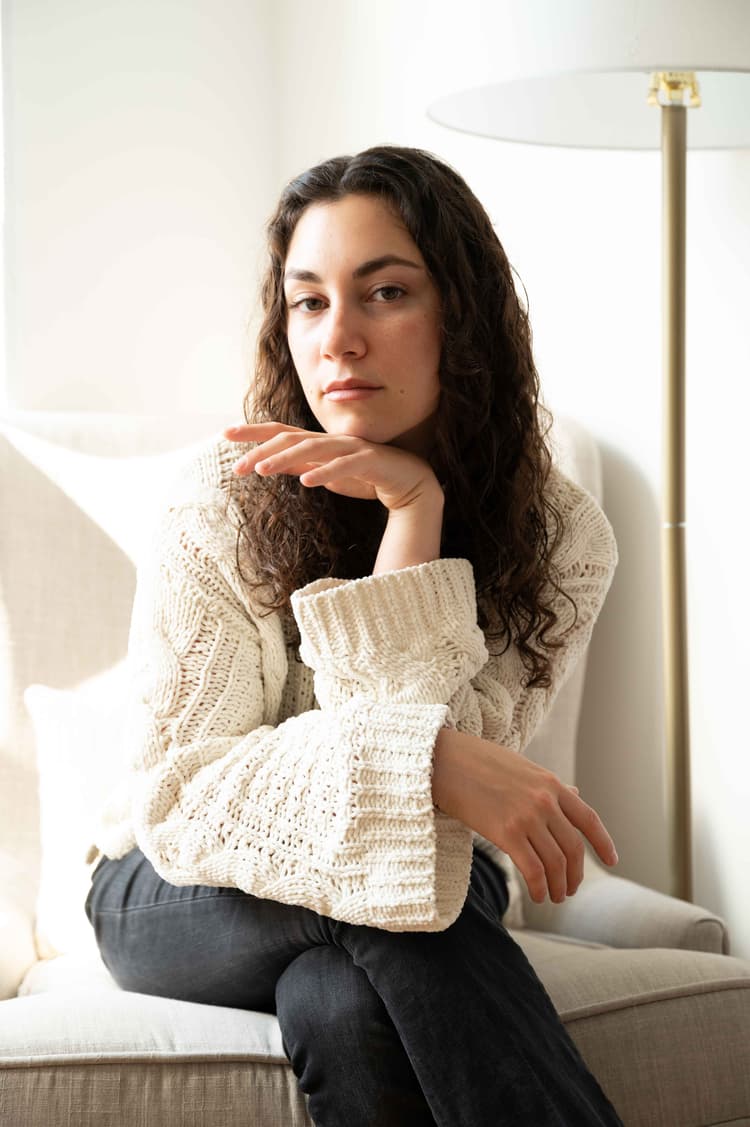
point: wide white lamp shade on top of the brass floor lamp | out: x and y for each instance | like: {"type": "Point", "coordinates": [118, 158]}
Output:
{"type": "Point", "coordinates": [588, 66]}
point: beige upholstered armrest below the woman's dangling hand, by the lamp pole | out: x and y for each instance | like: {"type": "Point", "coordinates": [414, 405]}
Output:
{"type": "Point", "coordinates": [621, 913]}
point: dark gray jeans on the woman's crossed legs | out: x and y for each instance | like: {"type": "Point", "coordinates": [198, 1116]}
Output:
{"type": "Point", "coordinates": [383, 1030]}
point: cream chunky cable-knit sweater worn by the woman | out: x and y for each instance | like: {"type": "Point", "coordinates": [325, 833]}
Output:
{"type": "Point", "coordinates": [311, 783]}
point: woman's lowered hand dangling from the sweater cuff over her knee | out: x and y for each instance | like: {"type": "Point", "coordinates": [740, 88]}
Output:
{"type": "Point", "coordinates": [524, 809]}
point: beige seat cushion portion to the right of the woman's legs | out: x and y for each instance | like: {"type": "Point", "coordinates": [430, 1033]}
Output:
{"type": "Point", "coordinates": [666, 1033]}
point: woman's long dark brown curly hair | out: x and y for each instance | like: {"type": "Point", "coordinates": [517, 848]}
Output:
{"type": "Point", "coordinates": [490, 448]}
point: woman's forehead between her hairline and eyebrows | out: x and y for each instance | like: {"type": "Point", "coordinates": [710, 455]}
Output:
{"type": "Point", "coordinates": [352, 229]}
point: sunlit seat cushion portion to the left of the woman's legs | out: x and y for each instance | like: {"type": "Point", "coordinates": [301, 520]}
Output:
{"type": "Point", "coordinates": [77, 1050]}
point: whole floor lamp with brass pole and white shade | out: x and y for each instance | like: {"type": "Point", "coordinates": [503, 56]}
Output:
{"type": "Point", "coordinates": [691, 70]}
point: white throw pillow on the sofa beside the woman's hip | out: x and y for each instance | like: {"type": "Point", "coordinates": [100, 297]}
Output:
{"type": "Point", "coordinates": [82, 753]}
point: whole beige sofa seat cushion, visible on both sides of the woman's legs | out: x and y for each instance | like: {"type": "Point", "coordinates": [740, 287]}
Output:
{"type": "Point", "coordinates": [667, 1034]}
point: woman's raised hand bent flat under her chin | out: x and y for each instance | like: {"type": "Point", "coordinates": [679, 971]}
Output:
{"type": "Point", "coordinates": [341, 463]}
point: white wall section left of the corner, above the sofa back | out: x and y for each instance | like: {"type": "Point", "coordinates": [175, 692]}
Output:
{"type": "Point", "coordinates": [139, 170]}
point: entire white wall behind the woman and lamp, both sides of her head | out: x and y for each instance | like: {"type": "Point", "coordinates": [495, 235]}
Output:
{"type": "Point", "coordinates": [131, 259]}
